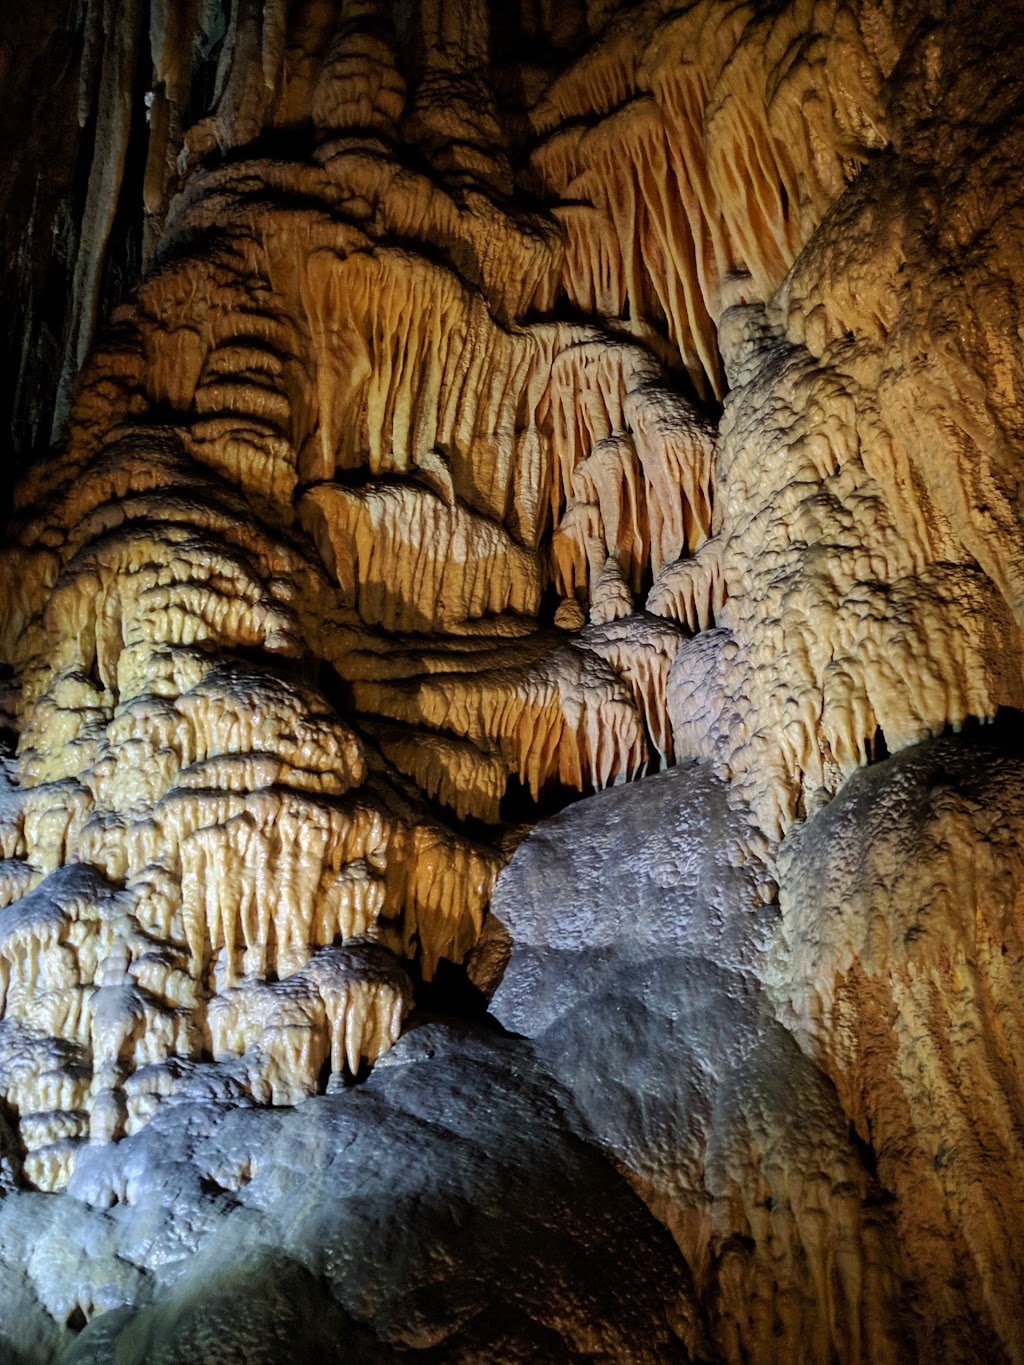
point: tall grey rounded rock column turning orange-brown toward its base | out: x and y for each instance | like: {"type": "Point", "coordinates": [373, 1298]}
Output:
{"type": "Point", "coordinates": [638, 922]}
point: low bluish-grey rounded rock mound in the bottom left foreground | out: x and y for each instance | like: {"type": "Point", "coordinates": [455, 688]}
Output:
{"type": "Point", "coordinates": [444, 1207]}
